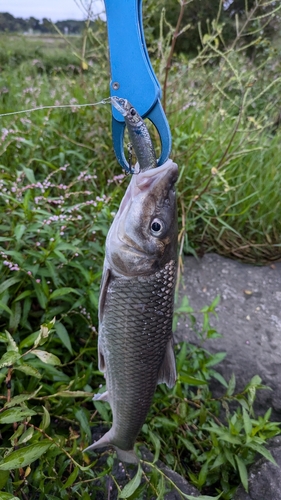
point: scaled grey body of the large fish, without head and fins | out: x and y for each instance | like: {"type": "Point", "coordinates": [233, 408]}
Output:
{"type": "Point", "coordinates": [145, 335]}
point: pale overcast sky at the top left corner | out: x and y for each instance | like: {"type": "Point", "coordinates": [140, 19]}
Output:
{"type": "Point", "coordinates": [55, 10]}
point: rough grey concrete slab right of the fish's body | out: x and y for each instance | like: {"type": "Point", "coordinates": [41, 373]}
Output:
{"type": "Point", "coordinates": [249, 318]}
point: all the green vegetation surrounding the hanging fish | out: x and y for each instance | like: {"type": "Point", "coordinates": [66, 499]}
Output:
{"type": "Point", "coordinates": [219, 67]}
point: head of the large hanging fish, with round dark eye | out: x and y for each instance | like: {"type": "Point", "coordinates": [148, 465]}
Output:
{"type": "Point", "coordinates": [143, 235]}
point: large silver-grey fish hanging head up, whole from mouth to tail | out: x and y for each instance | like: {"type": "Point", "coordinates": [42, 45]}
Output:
{"type": "Point", "coordinates": [135, 344]}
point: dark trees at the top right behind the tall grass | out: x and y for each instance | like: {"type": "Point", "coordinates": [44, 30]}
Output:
{"type": "Point", "coordinates": [197, 16]}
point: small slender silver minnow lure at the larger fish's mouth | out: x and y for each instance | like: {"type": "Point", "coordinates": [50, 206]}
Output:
{"type": "Point", "coordinates": [138, 133]}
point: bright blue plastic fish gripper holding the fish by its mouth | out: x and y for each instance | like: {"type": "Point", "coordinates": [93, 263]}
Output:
{"type": "Point", "coordinates": [132, 75]}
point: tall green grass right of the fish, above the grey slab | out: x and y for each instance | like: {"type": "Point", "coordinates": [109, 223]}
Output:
{"type": "Point", "coordinates": [229, 157]}
